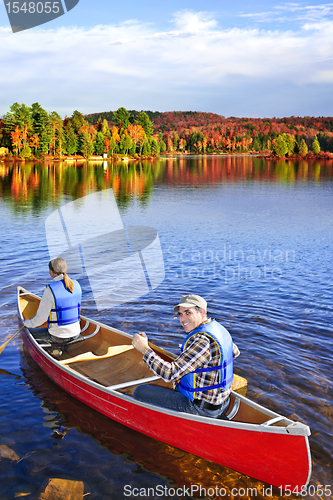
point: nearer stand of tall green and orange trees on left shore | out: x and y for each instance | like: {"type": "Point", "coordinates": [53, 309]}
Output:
{"type": "Point", "coordinates": [33, 132]}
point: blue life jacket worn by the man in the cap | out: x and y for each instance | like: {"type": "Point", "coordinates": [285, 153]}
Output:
{"type": "Point", "coordinates": [223, 339]}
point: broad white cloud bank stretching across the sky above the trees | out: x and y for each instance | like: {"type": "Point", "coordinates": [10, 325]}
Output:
{"type": "Point", "coordinates": [130, 64]}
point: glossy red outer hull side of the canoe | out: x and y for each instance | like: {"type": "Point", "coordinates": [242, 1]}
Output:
{"type": "Point", "coordinates": [277, 458]}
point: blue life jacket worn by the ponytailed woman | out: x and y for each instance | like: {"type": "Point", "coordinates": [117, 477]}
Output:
{"type": "Point", "coordinates": [67, 304]}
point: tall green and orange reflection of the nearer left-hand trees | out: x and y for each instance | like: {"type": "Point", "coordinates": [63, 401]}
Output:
{"type": "Point", "coordinates": [36, 186]}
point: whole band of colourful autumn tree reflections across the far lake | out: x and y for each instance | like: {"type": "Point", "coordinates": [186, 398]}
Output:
{"type": "Point", "coordinates": [37, 185]}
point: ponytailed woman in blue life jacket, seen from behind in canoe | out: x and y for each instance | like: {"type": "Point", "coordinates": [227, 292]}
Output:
{"type": "Point", "coordinates": [60, 307]}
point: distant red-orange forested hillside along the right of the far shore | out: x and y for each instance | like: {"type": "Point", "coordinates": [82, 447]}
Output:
{"type": "Point", "coordinates": [198, 132]}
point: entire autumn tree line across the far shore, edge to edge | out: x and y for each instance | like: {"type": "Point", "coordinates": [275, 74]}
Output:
{"type": "Point", "coordinates": [34, 132]}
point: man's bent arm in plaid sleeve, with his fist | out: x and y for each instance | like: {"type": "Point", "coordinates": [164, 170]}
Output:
{"type": "Point", "coordinates": [193, 357]}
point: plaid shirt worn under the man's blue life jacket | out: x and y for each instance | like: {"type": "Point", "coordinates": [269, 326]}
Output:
{"type": "Point", "coordinates": [200, 352]}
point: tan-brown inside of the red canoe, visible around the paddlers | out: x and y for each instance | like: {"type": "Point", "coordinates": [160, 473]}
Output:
{"type": "Point", "coordinates": [127, 366]}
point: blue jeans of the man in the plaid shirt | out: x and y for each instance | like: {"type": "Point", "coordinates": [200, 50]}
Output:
{"type": "Point", "coordinates": [175, 400]}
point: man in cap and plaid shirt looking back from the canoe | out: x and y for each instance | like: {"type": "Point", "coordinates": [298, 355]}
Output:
{"type": "Point", "coordinates": [203, 371]}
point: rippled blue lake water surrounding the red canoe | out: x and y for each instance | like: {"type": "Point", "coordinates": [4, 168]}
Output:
{"type": "Point", "coordinates": [254, 237]}
